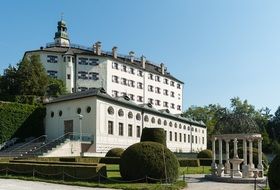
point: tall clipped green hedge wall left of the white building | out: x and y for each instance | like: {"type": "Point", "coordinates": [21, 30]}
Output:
{"type": "Point", "coordinates": [20, 120]}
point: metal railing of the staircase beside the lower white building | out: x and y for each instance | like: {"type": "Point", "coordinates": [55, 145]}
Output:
{"type": "Point", "coordinates": [68, 136]}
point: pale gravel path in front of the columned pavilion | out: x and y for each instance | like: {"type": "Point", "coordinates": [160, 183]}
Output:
{"type": "Point", "coordinates": [197, 182]}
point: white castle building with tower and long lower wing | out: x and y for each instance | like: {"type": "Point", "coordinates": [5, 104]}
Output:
{"type": "Point", "coordinates": [113, 98]}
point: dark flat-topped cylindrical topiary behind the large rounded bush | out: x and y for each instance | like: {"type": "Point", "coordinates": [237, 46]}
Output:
{"type": "Point", "coordinates": [154, 135]}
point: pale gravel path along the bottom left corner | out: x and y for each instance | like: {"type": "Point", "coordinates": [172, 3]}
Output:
{"type": "Point", "coordinates": [14, 184]}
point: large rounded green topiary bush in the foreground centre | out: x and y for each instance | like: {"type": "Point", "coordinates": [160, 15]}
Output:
{"type": "Point", "coordinates": [145, 159]}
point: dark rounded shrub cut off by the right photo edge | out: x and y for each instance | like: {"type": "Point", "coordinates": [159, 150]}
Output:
{"type": "Point", "coordinates": [273, 174]}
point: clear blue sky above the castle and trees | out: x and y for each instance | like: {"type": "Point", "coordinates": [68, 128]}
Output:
{"type": "Point", "coordinates": [220, 49]}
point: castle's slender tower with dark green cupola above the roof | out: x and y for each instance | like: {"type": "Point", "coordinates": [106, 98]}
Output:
{"type": "Point", "coordinates": [61, 36]}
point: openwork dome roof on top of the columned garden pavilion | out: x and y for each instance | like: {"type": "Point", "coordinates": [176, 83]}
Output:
{"type": "Point", "coordinates": [236, 124]}
